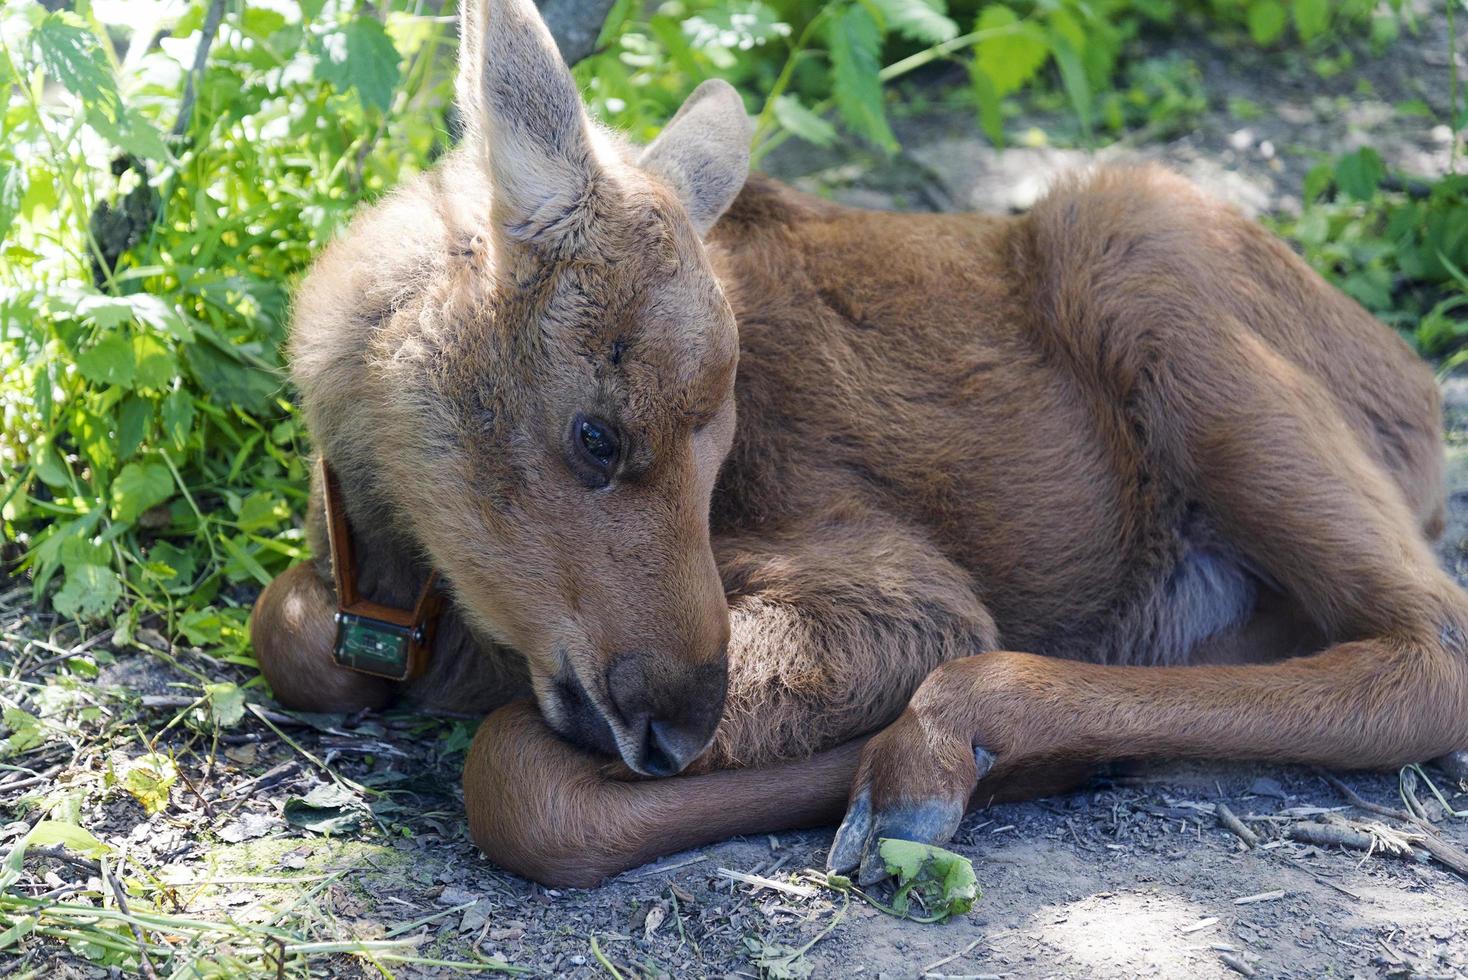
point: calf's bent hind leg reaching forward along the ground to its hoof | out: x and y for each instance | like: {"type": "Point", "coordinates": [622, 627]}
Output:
{"type": "Point", "coordinates": [1272, 461]}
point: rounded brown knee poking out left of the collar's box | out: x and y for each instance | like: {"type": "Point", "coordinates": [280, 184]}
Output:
{"type": "Point", "coordinates": [293, 632]}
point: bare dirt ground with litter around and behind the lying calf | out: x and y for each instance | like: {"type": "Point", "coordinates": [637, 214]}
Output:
{"type": "Point", "coordinates": [1134, 877]}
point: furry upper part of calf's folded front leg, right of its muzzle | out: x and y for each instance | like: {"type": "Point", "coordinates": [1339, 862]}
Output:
{"type": "Point", "coordinates": [835, 624]}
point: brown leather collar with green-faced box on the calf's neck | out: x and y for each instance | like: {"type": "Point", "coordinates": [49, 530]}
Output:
{"type": "Point", "coordinates": [374, 639]}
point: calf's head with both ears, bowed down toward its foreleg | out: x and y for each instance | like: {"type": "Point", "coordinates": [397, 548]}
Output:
{"type": "Point", "coordinates": [575, 403]}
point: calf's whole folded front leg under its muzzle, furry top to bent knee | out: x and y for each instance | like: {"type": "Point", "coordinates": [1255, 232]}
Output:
{"type": "Point", "coordinates": [833, 629]}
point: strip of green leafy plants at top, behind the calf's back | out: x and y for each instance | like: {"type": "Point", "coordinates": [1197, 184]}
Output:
{"type": "Point", "coordinates": [814, 68]}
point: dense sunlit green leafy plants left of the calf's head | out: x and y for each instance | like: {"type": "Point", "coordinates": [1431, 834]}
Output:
{"type": "Point", "coordinates": [165, 172]}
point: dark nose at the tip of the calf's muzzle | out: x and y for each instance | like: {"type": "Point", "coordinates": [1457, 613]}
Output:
{"type": "Point", "coordinates": [669, 709]}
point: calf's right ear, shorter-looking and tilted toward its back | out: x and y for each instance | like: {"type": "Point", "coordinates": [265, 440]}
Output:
{"type": "Point", "coordinates": [704, 152]}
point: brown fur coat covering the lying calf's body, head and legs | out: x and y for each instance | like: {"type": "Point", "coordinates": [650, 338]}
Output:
{"type": "Point", "coordinates": [986, 470]}
